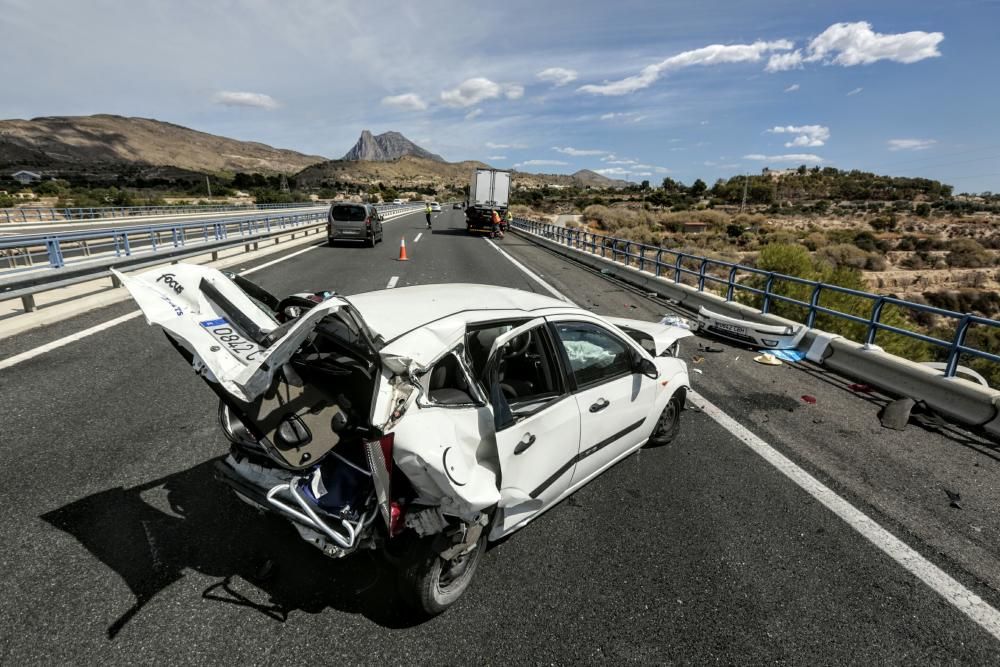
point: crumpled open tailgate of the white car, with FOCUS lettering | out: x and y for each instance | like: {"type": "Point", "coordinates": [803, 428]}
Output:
{"type": "Point", "coordinates": [284, 386]}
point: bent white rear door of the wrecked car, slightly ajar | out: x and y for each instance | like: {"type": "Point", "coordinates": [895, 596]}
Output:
{"type": "Point", "coordinates": [536, 420]}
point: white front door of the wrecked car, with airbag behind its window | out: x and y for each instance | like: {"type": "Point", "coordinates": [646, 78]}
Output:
{"type": "Point", "coordinates": [613, 398]}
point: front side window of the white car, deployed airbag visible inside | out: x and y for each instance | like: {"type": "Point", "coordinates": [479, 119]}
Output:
{"type": "Point", "coordinates": [594, 354]}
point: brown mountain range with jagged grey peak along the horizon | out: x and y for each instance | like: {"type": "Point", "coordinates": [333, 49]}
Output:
{"type": "Point", "coordinates": [111, 148]}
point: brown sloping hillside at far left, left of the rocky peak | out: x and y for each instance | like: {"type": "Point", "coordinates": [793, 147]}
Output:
{"type": "Point", "coordinates": [105, 143]}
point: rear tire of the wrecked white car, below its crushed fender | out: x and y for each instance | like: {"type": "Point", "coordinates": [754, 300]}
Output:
{"type": "Point", "coordinates": [429, 584]}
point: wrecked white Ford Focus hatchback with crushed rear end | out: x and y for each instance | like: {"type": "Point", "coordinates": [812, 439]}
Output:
{"type": "Point", "coordinates": [420, 421]}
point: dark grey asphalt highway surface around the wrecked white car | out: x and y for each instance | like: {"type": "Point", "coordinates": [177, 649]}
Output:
{"type": "Point", "coordinates": [118, 547]}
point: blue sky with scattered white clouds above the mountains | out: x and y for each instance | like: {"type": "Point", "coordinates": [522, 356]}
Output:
{"type": "Point", "coordinates": [631, 89]}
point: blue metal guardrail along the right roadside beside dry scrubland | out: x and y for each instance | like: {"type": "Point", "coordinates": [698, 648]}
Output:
{"type": "Point", "coordinates": [677, 265]}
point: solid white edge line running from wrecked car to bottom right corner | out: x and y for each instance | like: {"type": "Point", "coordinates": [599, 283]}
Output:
{"type": "Point", "coordinates": [940, 582]}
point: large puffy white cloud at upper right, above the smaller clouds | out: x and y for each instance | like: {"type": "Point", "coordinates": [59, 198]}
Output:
{"type": "Point", "coordinates": [850, 44]}
